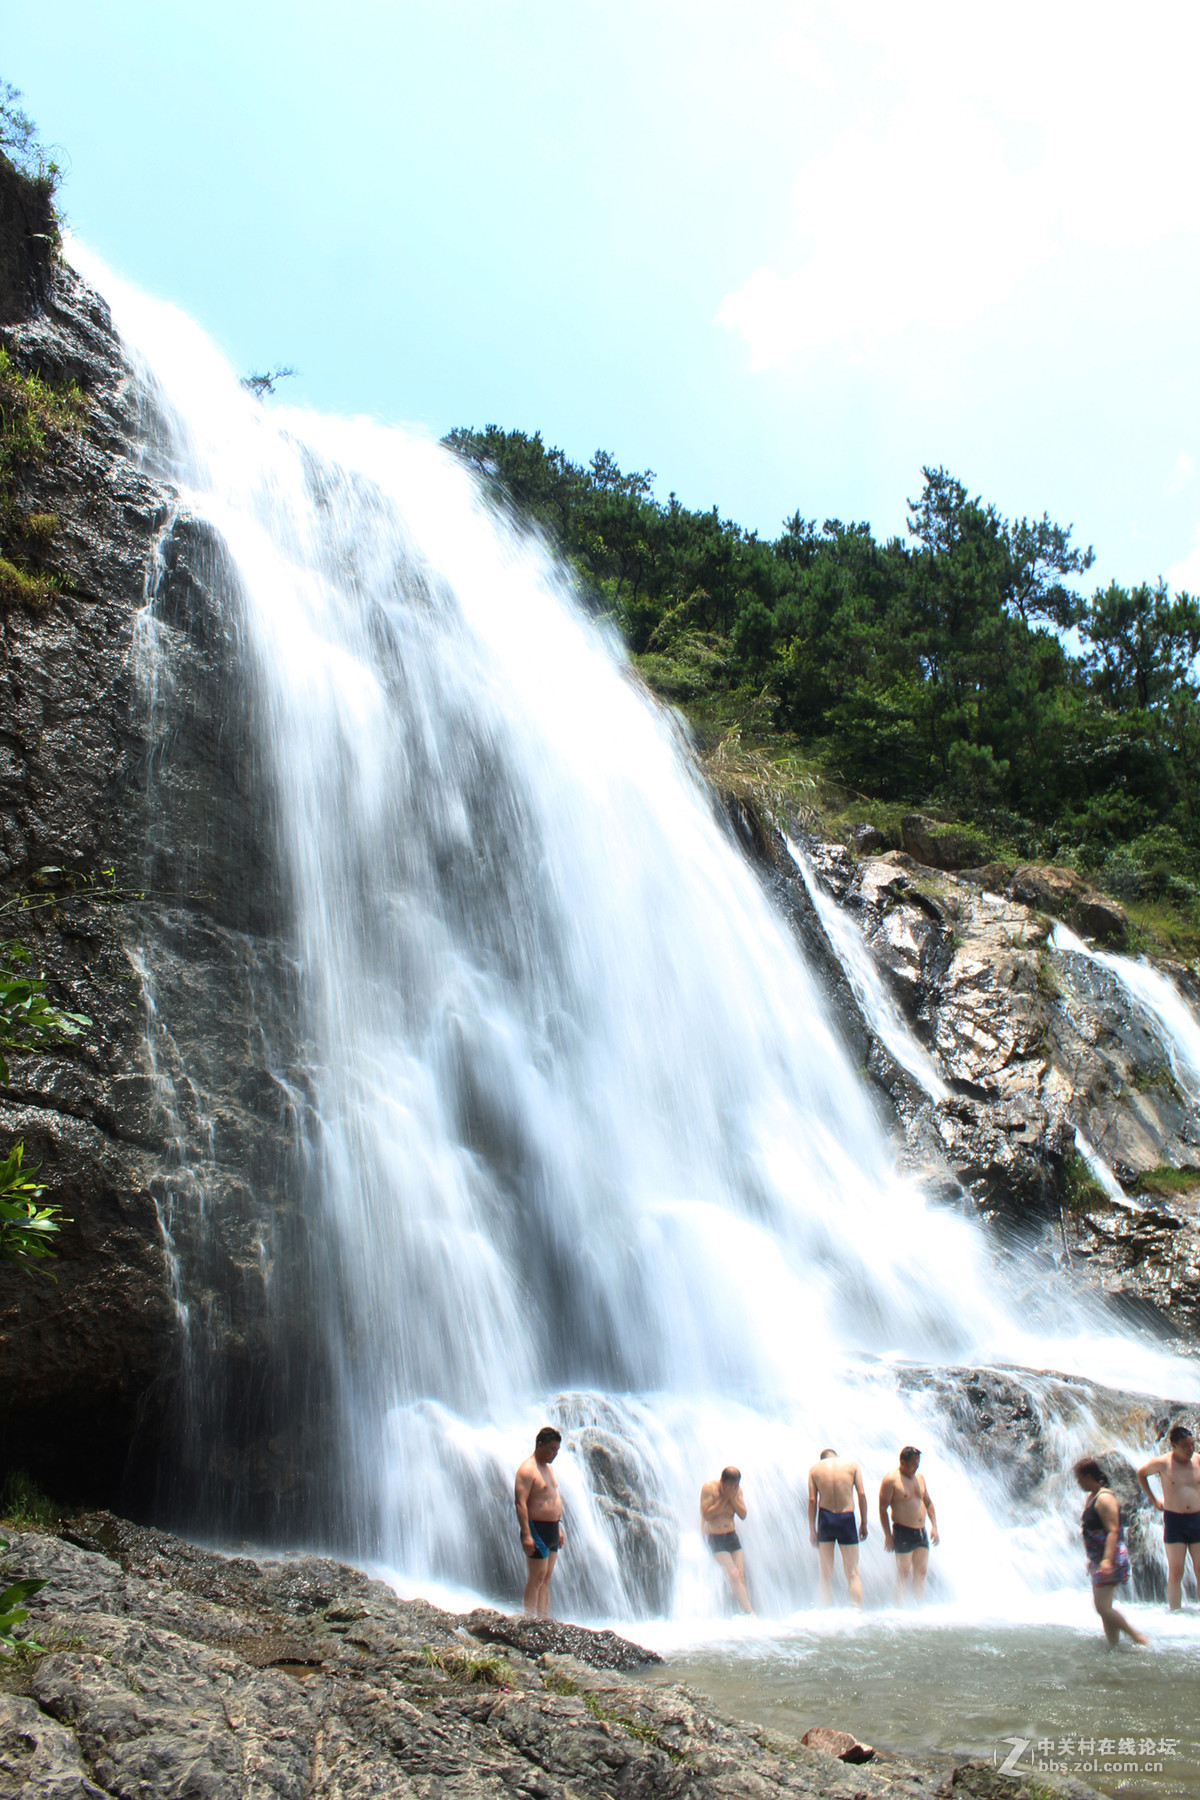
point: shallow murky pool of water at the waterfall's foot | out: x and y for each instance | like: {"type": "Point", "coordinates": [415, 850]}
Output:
{"type": "Point", "coordinates": [927, 1682]}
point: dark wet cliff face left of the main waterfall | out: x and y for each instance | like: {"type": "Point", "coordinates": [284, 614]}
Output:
{"type": "Point", "coordinates": [177, 1128]}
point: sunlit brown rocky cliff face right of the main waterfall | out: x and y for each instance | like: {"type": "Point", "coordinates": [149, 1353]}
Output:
{"type": "Point", "coordinates": [1034, 1045]}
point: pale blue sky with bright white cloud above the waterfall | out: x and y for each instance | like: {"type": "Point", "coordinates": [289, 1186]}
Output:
{"type": "Point", "coordinates": [782, 255]}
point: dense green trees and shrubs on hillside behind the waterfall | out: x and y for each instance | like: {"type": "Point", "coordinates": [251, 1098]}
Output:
{"type": "Point", "coordinates": [960, 670]}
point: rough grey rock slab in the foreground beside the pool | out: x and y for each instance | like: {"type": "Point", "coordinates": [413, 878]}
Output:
{"type": "Point", "coordinates": [139, 1696]}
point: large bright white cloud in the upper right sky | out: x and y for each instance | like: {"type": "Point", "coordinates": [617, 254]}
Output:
{"type": "Point", "coordinates": [974, 147]}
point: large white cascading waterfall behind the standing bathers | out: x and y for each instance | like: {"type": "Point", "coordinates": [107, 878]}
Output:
{"type": "Point", "coordinates": [584, 1144]}
